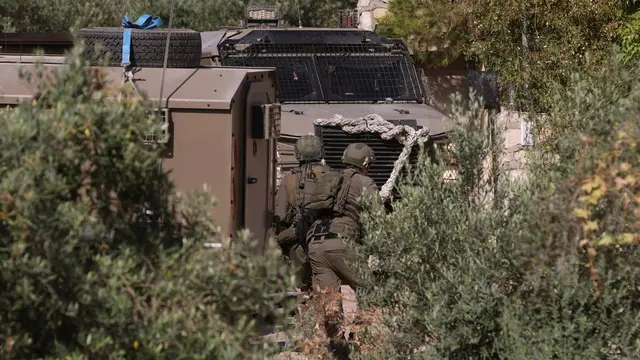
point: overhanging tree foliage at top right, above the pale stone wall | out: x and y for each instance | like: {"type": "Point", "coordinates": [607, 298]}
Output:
{"type": "Point", "coordinates": [531, 44]}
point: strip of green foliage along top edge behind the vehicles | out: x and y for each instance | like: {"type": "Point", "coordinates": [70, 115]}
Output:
{"type": "Point", "coordinates": [51, 16]}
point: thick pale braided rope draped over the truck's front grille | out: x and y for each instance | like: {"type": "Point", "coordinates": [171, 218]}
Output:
{"type": "Point", "coordinates": [374, 123]}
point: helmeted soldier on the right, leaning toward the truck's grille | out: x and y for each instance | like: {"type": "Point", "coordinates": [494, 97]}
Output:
{"type": "Point", "coordinates": [327, 251]}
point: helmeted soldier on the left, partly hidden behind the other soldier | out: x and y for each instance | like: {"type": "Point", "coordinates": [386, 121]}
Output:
{"type": "Point", "coordinates": [295, 187]}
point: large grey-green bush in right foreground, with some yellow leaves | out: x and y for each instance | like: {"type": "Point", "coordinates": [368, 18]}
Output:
{"type": "Point", "coordinates": [512, 278]}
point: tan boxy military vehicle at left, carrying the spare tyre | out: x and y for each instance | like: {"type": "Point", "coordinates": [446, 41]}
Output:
{"type": "Point", "coordinates": [222, 127]}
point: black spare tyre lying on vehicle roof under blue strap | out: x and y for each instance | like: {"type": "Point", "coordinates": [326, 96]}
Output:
{"type": "Point", "coordinates": [147, 46]}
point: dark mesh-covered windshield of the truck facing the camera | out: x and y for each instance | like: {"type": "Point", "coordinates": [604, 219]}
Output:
{"type": "Point", "coordinates": [328, 66]}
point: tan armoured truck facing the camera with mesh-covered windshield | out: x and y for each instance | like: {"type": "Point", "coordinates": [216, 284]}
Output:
{"type": "Point", "coordinates": [322, 72]}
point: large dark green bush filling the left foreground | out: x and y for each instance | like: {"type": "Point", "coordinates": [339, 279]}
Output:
{"type": "Point", "coordinates": [82, 273]}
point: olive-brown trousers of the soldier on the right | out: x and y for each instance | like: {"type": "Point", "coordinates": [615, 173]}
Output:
{"type": "Point", "coordinates": [327, 255]}
